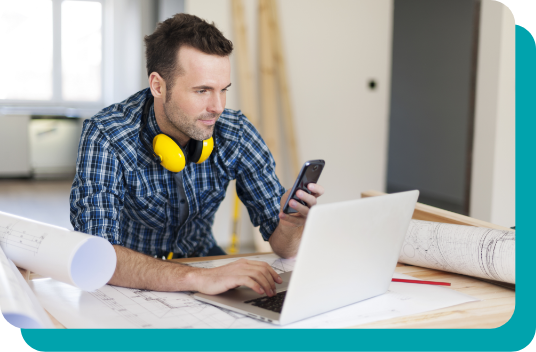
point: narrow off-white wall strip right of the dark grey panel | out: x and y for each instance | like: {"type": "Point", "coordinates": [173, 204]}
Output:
{"type": "Point", "coordinates": [493, 172]}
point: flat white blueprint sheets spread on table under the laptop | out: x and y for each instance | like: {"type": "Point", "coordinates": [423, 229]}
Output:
{"type": "Point", "coordinates": [118, 307]}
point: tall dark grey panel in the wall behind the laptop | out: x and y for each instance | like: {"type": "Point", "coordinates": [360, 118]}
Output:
{"type": "Point", "coordinates": [430, 97]}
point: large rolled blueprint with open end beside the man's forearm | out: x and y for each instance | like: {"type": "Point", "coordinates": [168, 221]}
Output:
{"type": "Point", "coordinates": [87, 262]}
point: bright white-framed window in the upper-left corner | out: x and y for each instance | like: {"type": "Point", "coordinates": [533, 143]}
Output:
{"type": "Point", "coordinates": [52, 53]}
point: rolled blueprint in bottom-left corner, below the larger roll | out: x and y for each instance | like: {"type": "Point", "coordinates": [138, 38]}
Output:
{"type": "Point", "coordinates": [18, 304]}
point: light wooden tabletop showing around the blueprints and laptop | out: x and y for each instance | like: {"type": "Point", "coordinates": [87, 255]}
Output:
{"type": "Point", "coordinates": [497, 303]}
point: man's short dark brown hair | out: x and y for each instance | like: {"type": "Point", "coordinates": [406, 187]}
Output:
{"type": "Point", "coordinates": [162, 46]}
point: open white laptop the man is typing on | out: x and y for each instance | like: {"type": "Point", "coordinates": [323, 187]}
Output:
{"type": "Point", "coordinates": [348, 253]}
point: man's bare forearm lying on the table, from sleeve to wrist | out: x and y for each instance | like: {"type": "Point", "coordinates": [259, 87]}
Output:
{"type": "Point", "coordinates": [138, 270]}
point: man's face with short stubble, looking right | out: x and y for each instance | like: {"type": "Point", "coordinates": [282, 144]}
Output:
{"type": "Point", "coordinates": [198, 96]}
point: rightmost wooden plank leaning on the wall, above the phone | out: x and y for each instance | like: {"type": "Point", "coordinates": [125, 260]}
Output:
{"type": "Point", "coordinates": [281, 72]}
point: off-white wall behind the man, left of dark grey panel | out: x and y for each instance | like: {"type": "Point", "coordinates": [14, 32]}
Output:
{"type": "Point", "coordinates": [332, 49]}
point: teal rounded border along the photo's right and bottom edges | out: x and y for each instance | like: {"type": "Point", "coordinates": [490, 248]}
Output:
{"type": "Point", "coordinates": [513, 336]}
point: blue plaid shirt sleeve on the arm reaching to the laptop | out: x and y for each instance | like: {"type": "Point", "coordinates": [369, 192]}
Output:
{"type": "Point", "coordinates": [97, 193]}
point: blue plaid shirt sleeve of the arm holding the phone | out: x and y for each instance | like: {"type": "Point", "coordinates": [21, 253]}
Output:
{"type": "Point", "coordinates": [257, 184]}
